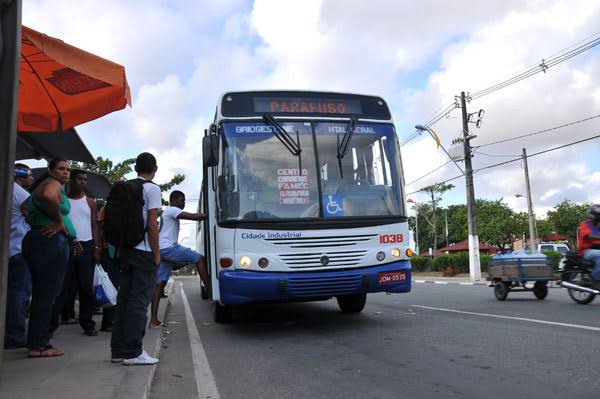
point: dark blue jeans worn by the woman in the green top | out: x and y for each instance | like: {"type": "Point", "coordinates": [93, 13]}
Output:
{"type": "Point", "coordinates": [47, 259]}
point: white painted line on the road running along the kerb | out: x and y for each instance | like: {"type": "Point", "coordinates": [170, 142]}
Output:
{"type": "Point", "coordinates": [205, 381]}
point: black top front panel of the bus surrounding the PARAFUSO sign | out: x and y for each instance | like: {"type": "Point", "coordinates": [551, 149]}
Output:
{"type": "Point", "coordinates": [293, 103]}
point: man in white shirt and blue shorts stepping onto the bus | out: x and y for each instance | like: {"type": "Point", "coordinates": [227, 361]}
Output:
{"type": "Point", "coordinates": [171, 253]}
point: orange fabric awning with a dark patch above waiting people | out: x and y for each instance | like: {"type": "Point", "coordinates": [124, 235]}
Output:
{"type": "Point", "coordinates": [61, 86]}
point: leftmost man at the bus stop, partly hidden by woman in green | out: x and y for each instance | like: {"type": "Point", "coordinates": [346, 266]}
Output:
{"type": "Point", "coordinates": [19, 279]}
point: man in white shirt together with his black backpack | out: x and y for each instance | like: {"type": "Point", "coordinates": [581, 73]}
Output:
{"type": "Point", "coordinates": [131, 224]}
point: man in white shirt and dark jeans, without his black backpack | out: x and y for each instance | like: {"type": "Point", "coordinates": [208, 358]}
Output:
{"type": "Point", "coordinates": [138, 272]}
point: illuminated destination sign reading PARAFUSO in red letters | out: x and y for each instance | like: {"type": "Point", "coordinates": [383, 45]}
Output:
{"type": "Point", "coordinates": [300, 105]}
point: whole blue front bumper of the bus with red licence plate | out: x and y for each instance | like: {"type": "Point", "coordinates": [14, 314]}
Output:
{"type": "Point", "coordinates": [243, 286]}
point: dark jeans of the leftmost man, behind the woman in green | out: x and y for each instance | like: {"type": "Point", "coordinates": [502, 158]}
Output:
{"type": "Point", "coordinates": [17, 298]}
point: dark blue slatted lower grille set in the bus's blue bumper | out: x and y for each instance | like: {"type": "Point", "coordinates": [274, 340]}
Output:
{"type": "Point", "coordinates": [348, 283]}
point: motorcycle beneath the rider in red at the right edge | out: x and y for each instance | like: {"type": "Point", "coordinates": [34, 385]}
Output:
{"type": "Point", "coordinates": [576, 277]}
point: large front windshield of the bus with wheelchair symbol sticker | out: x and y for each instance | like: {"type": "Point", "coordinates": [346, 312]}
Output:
{"type": "Point", "coordinates": [261, 179]}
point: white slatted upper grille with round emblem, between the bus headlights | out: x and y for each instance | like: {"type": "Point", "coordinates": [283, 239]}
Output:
{"type": "Point", "coordinates": [327, 259]}
